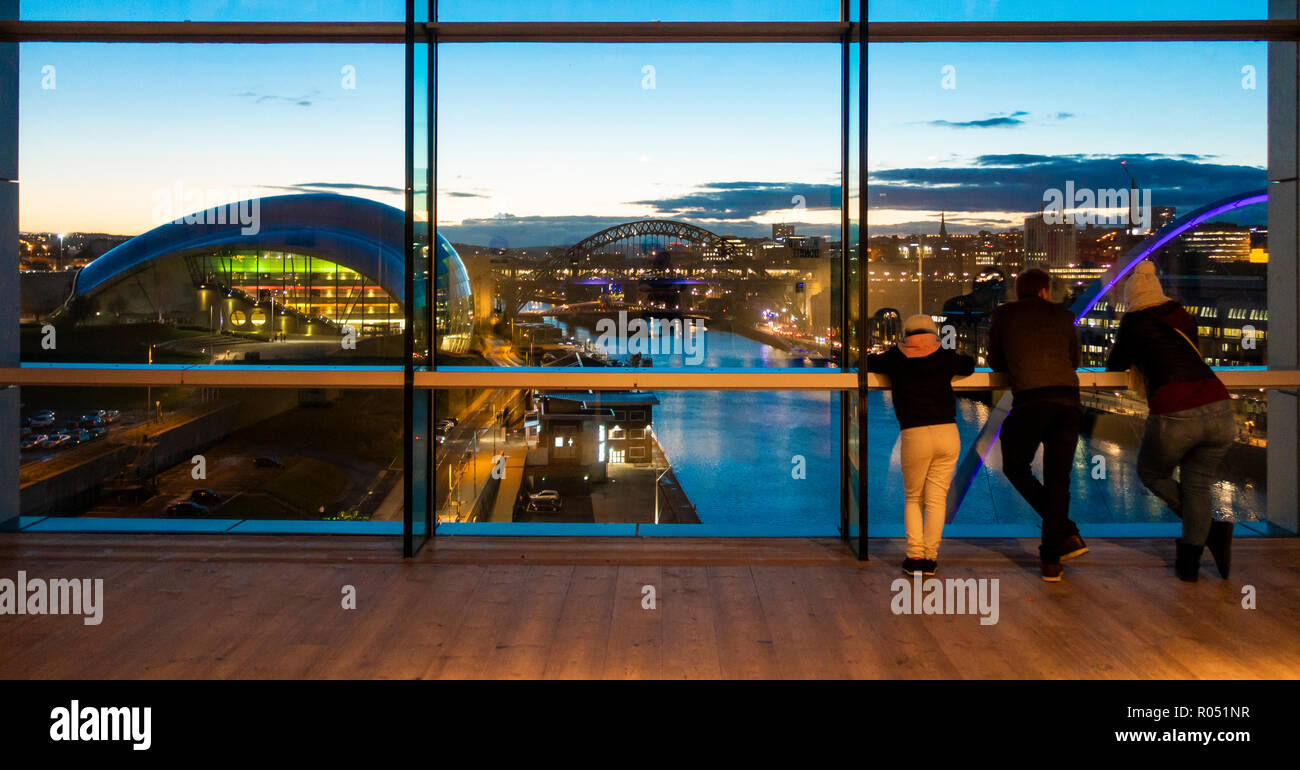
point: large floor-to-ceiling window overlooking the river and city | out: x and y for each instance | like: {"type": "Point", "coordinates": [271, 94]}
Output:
{"type": "Point", "coordinates": [601, 269]}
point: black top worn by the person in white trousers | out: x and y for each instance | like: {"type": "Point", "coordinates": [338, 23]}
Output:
{"type": "Point", "coordinates": [922, 387]}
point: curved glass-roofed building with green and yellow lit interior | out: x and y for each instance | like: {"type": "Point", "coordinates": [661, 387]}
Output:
{"type": "Point", "coordinates": [309, 265]}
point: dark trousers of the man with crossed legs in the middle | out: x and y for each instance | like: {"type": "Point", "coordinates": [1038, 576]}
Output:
{"type": "Point", "coordinates": [1056, 427]}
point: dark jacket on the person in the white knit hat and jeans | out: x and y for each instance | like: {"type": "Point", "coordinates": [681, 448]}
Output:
{"type": "Point", "coordinates": [1176, 374]}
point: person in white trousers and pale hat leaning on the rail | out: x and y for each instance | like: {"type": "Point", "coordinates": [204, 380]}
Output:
{"type": "Point", "coordinates": [921, 378]}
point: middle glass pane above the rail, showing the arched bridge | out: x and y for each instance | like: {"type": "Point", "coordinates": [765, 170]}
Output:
{"type": "Point", "coordinates": [632, 219]}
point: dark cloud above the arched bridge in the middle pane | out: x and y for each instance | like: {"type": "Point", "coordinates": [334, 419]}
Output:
{"type": "Point", "coordinates": [740, 202]}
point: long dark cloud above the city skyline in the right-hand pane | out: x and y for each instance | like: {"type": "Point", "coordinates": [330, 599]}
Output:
{"type": "Point", "coordinates": [1017, 181]}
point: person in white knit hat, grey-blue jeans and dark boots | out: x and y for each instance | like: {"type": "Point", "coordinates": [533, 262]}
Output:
{"type": "Point", "coordinates": [1191, 425]}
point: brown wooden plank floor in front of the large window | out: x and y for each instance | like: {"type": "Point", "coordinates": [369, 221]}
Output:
{"type": "Point", "coordinates": [249, 607]}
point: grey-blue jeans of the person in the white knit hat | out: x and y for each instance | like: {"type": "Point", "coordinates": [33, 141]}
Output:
{"type": "Point", "coordinates": [1194, 442]}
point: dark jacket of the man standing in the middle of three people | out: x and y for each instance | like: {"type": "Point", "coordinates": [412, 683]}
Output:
{"type": "Point", "coordinates": [1035, 343]}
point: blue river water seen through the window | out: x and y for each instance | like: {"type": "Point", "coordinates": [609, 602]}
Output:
{"type": "Point", "coordinates": [738, 456]}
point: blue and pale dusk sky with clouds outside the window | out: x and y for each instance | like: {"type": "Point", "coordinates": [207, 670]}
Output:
{"type": "Point", "coordinates": [547, 144]}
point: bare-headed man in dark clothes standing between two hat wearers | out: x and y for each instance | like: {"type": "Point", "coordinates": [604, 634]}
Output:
{"type": "Point", "coordinates": [1034, 341]}
